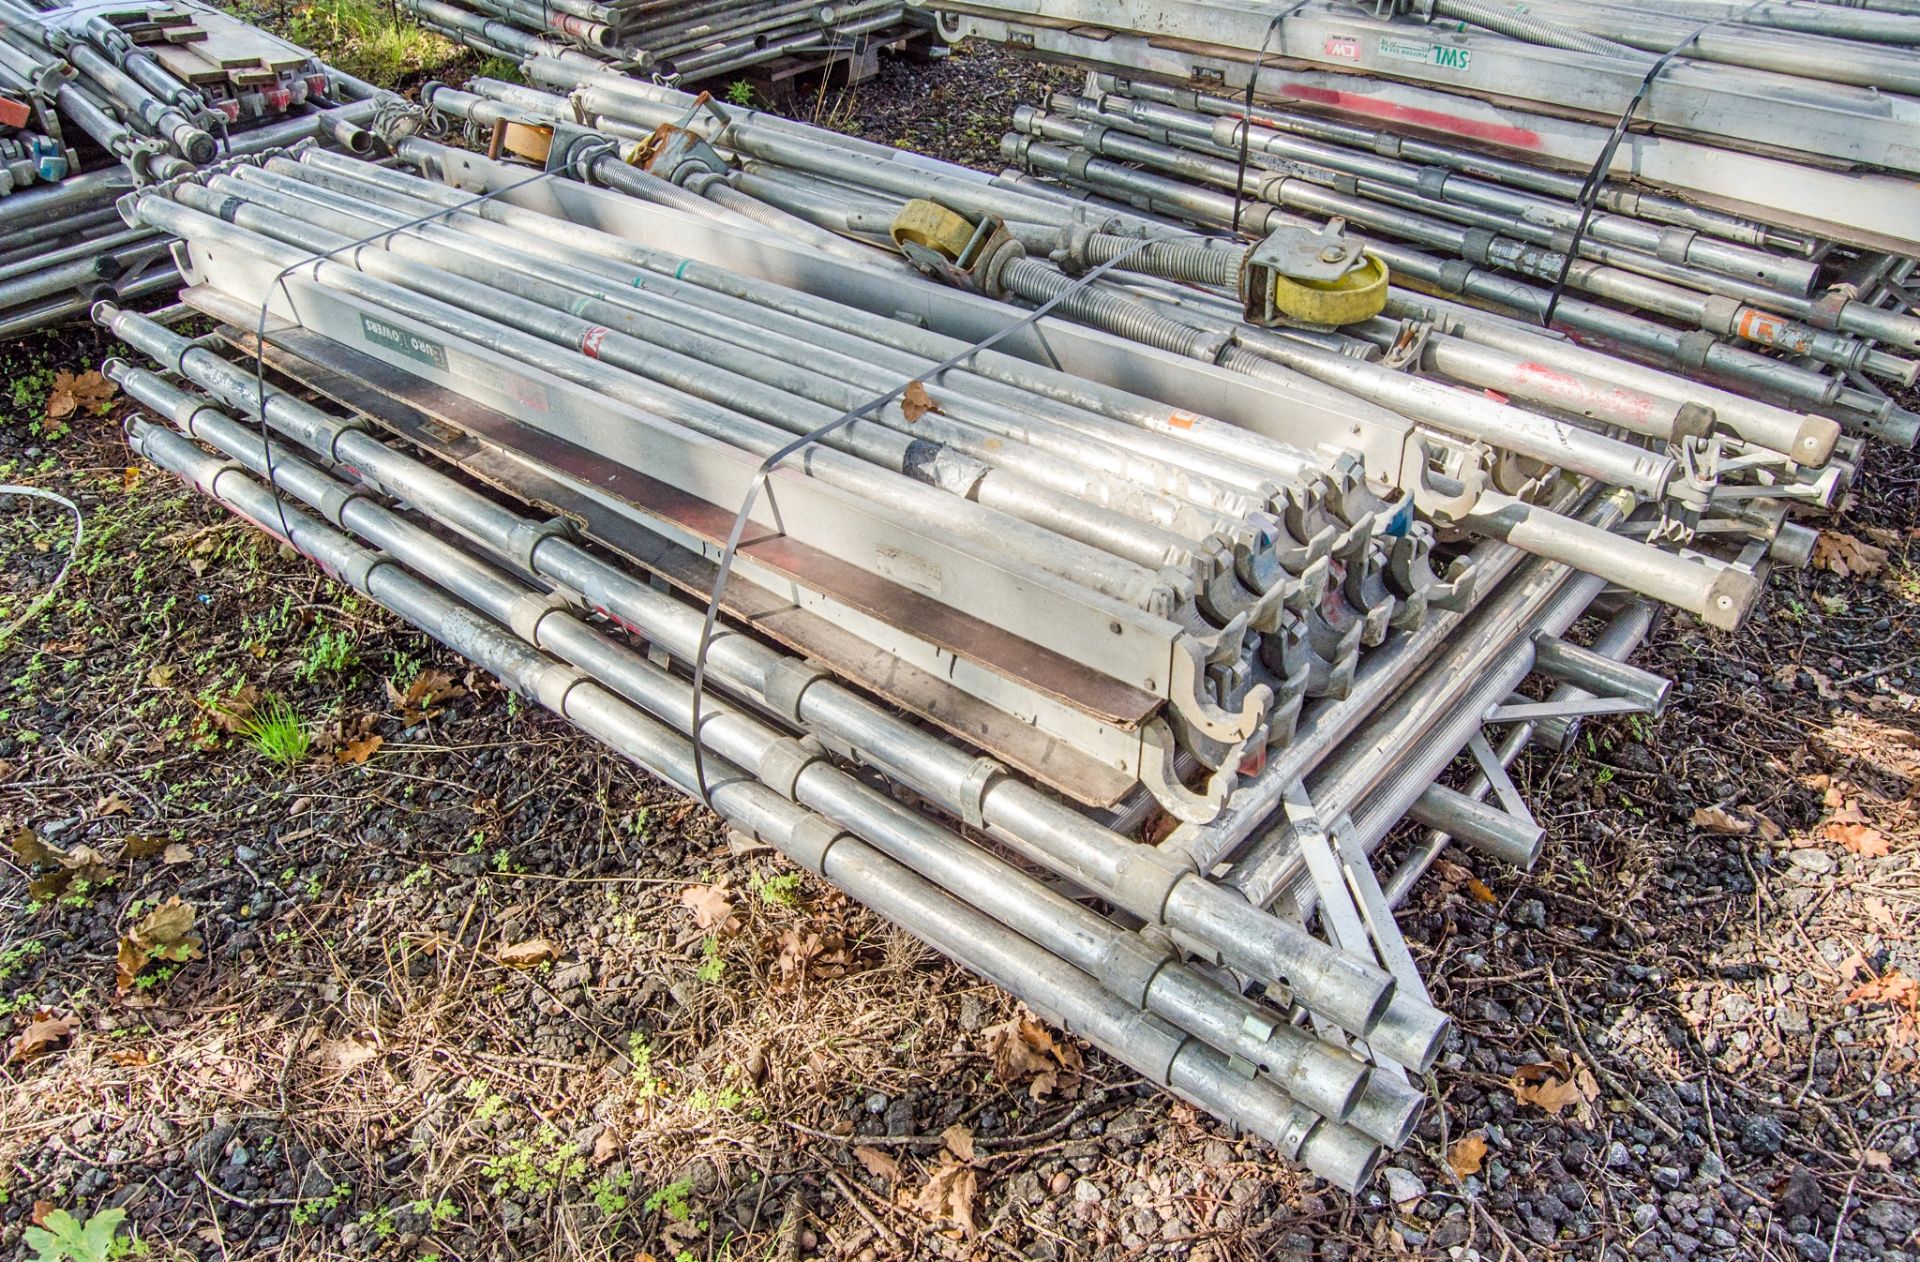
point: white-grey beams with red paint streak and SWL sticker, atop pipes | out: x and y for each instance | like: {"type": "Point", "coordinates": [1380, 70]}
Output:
{"type": "Point", "coordinates": [1798, 116]}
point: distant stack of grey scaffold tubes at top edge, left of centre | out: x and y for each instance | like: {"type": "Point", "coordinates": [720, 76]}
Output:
{"type": "Point", "coordinates": [677, 41]}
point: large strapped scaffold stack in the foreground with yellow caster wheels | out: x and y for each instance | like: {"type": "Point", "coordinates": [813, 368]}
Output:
{"type": "Point", "coordinates": [1163, 575]}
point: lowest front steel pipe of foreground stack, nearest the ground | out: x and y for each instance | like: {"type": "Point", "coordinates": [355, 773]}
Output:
{"type": "Point", "coordinates": [1045, 983]}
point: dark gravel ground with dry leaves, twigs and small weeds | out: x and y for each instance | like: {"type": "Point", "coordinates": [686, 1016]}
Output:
{"type": "Point", "coordinates": [469, 988]}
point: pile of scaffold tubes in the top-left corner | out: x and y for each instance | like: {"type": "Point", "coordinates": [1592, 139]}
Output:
{"type": "Point", "coordinates": [95, 101]}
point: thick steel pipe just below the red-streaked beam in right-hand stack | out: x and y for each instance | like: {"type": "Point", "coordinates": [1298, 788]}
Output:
{"type": "Point", "coordinates": [1439, 185]}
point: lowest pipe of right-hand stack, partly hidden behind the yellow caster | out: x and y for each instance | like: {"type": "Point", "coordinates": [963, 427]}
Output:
{"type": "Point", "coordinates": [1698, 351]}
